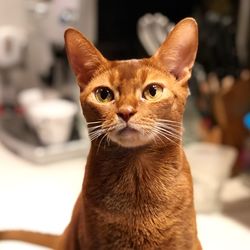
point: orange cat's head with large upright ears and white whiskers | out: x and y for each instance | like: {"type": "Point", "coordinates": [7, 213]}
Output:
{"type": "Point", "coordinates": [135, 102]}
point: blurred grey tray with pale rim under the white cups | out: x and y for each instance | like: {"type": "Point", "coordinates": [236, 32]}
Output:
{"type": "Point", "coordinates": [16, 135]}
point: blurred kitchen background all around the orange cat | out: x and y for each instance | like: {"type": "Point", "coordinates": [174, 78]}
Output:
{"type": "Point", "coordinates": [43, 139]}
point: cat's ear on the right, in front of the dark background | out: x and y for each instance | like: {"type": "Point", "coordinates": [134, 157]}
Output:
{"type": "Point", "coordinates": [177, 53]}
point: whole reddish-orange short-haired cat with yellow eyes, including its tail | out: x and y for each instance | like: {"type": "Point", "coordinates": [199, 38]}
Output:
{"type": "Point", "coordinates": [137, 190]}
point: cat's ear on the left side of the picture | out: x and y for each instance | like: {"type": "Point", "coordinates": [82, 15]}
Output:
{"type": "Point", "coordinates": [83, 57]}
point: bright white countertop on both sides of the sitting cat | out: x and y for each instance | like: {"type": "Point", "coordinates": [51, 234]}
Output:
{"type": "Point", "coordinates": [41, 198]}
